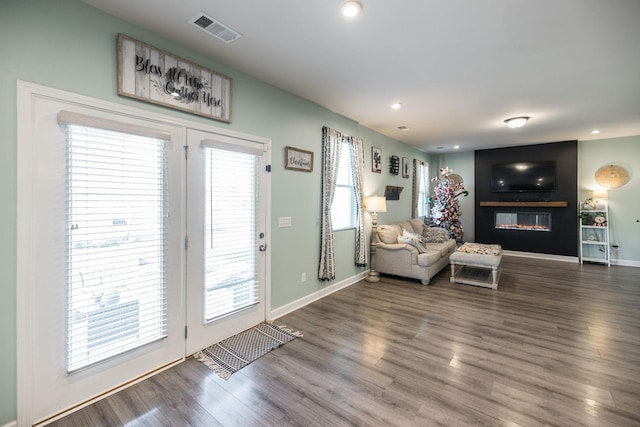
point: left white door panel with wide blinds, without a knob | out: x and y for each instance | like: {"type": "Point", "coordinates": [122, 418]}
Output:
{"type": "Point", "coordinates": [103, 230]}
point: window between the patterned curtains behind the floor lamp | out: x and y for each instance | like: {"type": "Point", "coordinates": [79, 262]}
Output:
{"type": "Point", "coordinates": [343, 208]}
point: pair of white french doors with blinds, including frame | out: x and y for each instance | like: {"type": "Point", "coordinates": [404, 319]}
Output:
{"type": "Point", "coordinates": [108, 204]}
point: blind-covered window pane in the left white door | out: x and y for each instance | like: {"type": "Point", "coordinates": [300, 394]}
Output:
{"type": "Point", "coordinates": [116, 239]}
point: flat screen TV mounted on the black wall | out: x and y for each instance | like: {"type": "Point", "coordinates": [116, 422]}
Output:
{"type": "Point", "coordinates": [526, 176]}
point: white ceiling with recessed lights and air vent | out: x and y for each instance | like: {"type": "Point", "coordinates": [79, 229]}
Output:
{"type": "Point", "coordinates": [459, 67]}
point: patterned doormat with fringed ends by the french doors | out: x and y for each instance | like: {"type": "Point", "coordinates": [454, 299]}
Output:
{"type": "Point", "coordinates": [236, 352]}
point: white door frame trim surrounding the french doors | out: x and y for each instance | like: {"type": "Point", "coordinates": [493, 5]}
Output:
{"type": "Point", "coordinates": [27, 93]}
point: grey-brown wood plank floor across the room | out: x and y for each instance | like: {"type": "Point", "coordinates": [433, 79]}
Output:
{"type": "Point", "coordinates": [557, 344]}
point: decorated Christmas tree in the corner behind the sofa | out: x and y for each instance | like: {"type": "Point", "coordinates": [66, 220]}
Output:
{"type": "Point", "coordinates": [446, 208]}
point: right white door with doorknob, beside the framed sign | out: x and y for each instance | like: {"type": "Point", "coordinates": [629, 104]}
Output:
{"type": "Point", "coordinates": [227, 242]}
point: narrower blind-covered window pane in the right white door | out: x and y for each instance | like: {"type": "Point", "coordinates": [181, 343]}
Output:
{"type": "Point", "coordinates": [231, 199]}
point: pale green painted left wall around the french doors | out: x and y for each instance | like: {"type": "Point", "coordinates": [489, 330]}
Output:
{"type": "Point", "coordinates": [68, 45]}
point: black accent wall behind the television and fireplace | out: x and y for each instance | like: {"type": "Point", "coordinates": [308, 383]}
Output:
{"type": "Point", "coordinates": [563, 237]}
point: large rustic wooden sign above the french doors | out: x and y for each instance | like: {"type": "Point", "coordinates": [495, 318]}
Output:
{"type": "Point", "coordinates": [155, 76]}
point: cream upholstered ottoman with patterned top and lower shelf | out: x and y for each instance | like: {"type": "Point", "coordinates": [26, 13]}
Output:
{"type": "Point", "coordinates": [476, 264]}
